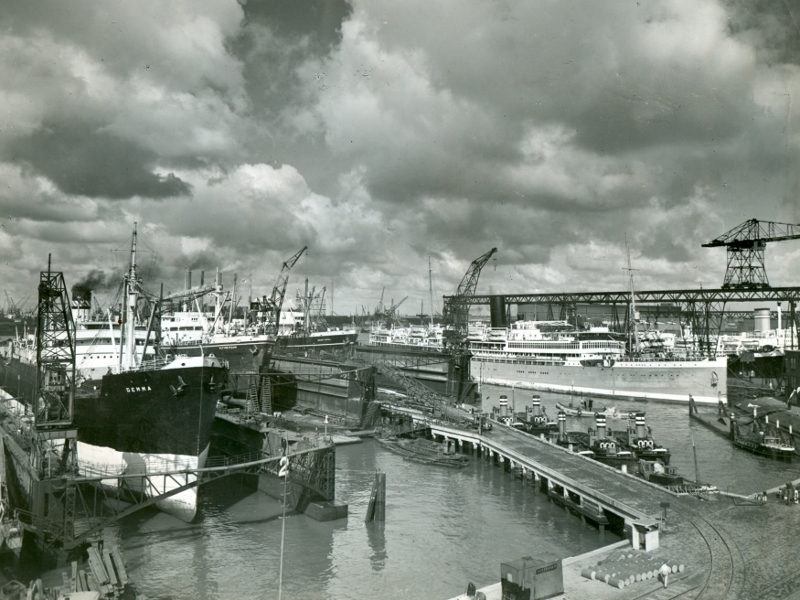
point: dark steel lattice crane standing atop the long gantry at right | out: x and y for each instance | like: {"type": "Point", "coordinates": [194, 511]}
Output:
{"type": "Point", "coordinates": [746, 244]}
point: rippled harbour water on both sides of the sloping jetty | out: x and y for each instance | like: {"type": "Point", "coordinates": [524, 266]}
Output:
{"type": "Point", "coordinates": [443, 529]}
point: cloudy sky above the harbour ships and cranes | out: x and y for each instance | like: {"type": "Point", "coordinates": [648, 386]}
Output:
{"type": "Point", "coordinates": [382, 133]}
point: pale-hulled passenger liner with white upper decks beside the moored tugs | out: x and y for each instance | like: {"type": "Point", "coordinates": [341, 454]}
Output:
{"type": "Point", "coordinates": [553, 356]}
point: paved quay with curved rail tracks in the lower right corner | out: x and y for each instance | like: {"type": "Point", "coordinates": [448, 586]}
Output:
{"type": "Point", "coordinates": [731, 546]}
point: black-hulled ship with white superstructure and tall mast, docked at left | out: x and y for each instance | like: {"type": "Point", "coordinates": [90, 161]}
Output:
{"type": "Point", "coordinates": [135, 410]}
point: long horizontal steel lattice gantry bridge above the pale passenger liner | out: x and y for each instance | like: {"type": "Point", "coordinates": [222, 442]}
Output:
{"type": "Point", "coordinates": [703, 309]}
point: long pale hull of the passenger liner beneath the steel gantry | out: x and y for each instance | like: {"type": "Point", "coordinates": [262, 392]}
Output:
{"type": "Point", "coordinates": [672, 380]}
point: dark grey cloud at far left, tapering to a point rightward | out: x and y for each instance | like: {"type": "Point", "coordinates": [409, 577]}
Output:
{"type": "Point", "coordinates": [83, 159]}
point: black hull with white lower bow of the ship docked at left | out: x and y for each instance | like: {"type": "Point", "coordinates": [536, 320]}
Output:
{"type": "Point", "coordinates": [148, 420]}
